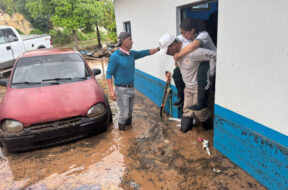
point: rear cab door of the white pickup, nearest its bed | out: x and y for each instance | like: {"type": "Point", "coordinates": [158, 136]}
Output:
{"type": "Point", "coordinates": [17, 46]}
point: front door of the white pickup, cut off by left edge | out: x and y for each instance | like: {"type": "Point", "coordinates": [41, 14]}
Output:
{"type": "Point", "coordinates": [6, 56]}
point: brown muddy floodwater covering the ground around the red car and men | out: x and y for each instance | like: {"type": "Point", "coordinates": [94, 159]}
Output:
{"type": "Point", "coordinates": [152, 154]}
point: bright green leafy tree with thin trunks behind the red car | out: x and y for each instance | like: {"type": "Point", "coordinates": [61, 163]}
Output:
{"type": "Point", "coordinates": [73, 15]}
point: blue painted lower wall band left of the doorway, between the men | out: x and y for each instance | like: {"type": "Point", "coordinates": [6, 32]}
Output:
{"type": "Point", "coordinates": [153, 88]}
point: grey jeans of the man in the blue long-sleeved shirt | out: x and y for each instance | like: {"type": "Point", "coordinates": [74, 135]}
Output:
{"type": "Point", "coordinates": [125, 102]}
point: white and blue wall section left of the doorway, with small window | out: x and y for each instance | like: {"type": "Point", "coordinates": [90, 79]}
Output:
{"type": "Point", "coordinates": [149, 21]}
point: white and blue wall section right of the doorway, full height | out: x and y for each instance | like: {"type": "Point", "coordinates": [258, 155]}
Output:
{"type": "Point", "coordinates": [251, 104]}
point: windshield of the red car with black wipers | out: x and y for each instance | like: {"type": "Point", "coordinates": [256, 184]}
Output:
{"type": "Point", "coordinates": [41, 69]}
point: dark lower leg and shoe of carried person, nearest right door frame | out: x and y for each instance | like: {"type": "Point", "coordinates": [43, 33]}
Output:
{"type": "Point", "coordinates": [202, 99]}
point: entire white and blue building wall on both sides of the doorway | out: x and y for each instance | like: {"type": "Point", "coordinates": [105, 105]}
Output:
{"type": "Point", "coordinates": [251, 108]}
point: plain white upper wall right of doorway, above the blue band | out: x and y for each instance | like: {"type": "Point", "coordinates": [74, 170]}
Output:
{"type": "Point", "coordinates": [252, 60]}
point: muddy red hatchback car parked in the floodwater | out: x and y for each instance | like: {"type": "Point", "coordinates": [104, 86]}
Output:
{"type": "Point", "coordinates": [52, 97]}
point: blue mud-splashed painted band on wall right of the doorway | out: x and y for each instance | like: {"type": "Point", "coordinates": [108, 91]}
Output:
{"type": "Point", "coordinates": [260, 151]}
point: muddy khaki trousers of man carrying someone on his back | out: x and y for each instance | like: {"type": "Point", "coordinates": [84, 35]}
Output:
{"type": "Point", "coordinates": [190, 98]}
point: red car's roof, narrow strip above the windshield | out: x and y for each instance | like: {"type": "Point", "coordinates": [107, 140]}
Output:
{"type": "Point", "coordinates": [48, 51]}
